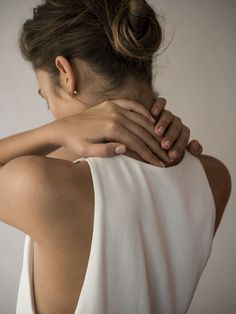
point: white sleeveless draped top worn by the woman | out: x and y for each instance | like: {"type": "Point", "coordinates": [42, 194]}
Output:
{"type": "Point", "coordinates": [152, 237]}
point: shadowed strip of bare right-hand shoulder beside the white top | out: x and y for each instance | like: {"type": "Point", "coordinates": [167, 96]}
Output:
{"type": "Point", "coordinates": [220, 183]}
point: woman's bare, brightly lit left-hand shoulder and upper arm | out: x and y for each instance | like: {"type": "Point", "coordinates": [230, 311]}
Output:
{"type": "Point", "coordinates": [38, 195]}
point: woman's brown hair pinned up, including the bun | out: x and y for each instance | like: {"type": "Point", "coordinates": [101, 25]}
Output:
{"type": "Point", "coordinates": [116, 38]}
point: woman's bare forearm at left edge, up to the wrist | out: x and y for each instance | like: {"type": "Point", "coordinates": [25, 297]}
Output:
{"type": "Point", "coordinates": [37, 141]}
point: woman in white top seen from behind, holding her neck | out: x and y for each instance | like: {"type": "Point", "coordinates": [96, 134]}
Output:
{"type": "Point", "coordinates": [106, 235]}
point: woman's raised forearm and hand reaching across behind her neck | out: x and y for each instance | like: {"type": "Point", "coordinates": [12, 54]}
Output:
{"type": "Point", "coordinates": [86, 134]}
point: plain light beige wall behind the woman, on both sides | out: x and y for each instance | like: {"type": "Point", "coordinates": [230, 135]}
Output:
{"type": "Point", "coordinates": [197, 75]}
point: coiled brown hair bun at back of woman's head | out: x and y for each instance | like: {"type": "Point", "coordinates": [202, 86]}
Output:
{"type": "Point", "coordinates": [136, 31]}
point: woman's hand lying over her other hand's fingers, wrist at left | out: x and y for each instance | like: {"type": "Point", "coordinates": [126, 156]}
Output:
{"type": "Point", "coordinates": [121, 123]}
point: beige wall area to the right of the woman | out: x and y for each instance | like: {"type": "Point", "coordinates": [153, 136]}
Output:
{"type": "Point", "coordinates": [199, 80]}
